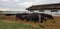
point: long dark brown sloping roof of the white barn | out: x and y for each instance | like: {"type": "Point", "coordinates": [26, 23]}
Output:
{"type": "Point", "coordinates": [44, 7]}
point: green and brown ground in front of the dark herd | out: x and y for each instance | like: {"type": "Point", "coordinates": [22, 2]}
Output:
{"type": "Point", "coordinates": [19, 25]}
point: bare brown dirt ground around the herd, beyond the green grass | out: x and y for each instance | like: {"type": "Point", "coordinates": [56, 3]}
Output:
{"type": "Point", "coordinates": [46, 25]}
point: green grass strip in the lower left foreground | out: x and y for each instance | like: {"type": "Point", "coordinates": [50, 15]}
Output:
{"type": "Point", "coordinates": [5, 25]}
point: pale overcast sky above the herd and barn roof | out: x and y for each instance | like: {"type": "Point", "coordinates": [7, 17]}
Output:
{"type": "Point", "coordinates": [21, 5]}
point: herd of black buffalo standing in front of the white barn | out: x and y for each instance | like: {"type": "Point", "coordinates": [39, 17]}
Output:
{"type": "Point", "coordinates": [34, 17]}
